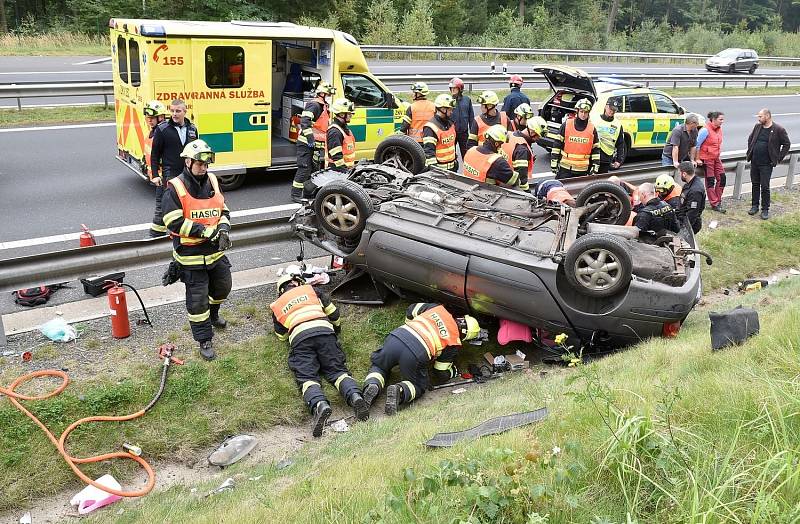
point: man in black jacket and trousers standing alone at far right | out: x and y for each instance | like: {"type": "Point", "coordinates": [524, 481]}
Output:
{"type": "Point", "coordinates": [767, 144]}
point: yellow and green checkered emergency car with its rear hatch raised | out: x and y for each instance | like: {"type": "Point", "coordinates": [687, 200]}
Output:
{"type": "Point", "coordinates": [647, 115]}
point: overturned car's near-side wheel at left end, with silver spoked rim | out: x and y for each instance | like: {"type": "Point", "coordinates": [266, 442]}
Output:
{"type": "Point", "coordinates": [342, 208]}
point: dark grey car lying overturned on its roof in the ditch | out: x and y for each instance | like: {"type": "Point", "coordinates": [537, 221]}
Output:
{"type": "Point", "coordinates": [498, 252]}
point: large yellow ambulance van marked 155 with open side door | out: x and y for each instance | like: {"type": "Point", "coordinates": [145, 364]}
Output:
{"type": "Point", "coordinates": [245, 84]}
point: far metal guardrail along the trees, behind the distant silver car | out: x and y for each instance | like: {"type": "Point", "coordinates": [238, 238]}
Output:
{"type": "Point", "coordinates": [567, 53]}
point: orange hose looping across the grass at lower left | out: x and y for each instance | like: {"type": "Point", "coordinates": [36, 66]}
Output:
{"type": "Point", "coordinates": [165, 352]}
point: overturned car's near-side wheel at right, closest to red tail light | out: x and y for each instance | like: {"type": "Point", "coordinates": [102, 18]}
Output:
{"type": "Point", "coordinates": [598, 265]}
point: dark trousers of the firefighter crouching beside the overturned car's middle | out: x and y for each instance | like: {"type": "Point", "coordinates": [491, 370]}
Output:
{"type": "Point", "coordinates": [413, 368]}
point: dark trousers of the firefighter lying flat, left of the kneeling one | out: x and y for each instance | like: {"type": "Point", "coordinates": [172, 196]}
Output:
{"type": "Point", "coordinates": [320, 355]}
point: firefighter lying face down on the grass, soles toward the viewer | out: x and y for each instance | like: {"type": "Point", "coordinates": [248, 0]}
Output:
{"type": "Point", "coordinates": [308, 319]}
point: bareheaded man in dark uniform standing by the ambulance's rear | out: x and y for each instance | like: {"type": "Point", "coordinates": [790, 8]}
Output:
{"type": "Point", "coordinates": [169, 139]}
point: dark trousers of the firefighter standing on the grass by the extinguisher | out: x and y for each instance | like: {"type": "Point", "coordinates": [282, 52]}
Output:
{"type": "Point", "coordinates": [206, 289]}
